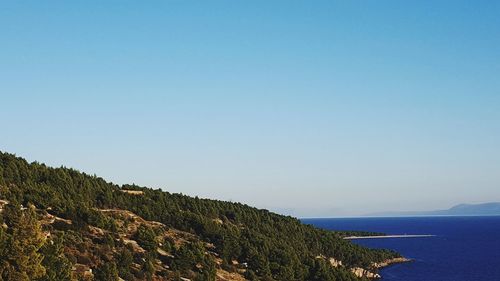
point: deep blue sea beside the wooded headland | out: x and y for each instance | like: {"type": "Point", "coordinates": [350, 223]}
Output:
{"type": "Point", "coordinates": [464, 248]}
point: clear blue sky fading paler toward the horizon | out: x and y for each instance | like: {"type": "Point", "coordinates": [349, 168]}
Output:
{"type": "Point", "coordinates": [309, 108]}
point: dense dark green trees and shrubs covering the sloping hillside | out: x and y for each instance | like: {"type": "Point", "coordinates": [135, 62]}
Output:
{"type": "Point", "coordinates": [235, 237]}
